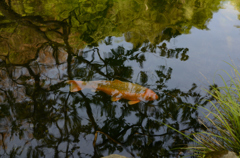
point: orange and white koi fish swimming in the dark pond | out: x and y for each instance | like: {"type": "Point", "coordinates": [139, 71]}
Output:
{"type": "Point", "coordinates": [117, 89]}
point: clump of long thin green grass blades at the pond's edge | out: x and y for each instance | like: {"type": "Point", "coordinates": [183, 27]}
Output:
{"type": "Point", "coordinates": [222, 120]}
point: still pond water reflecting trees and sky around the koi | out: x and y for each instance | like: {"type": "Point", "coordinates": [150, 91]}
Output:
{"type": "Point", "coordinates": [175, 48]}
